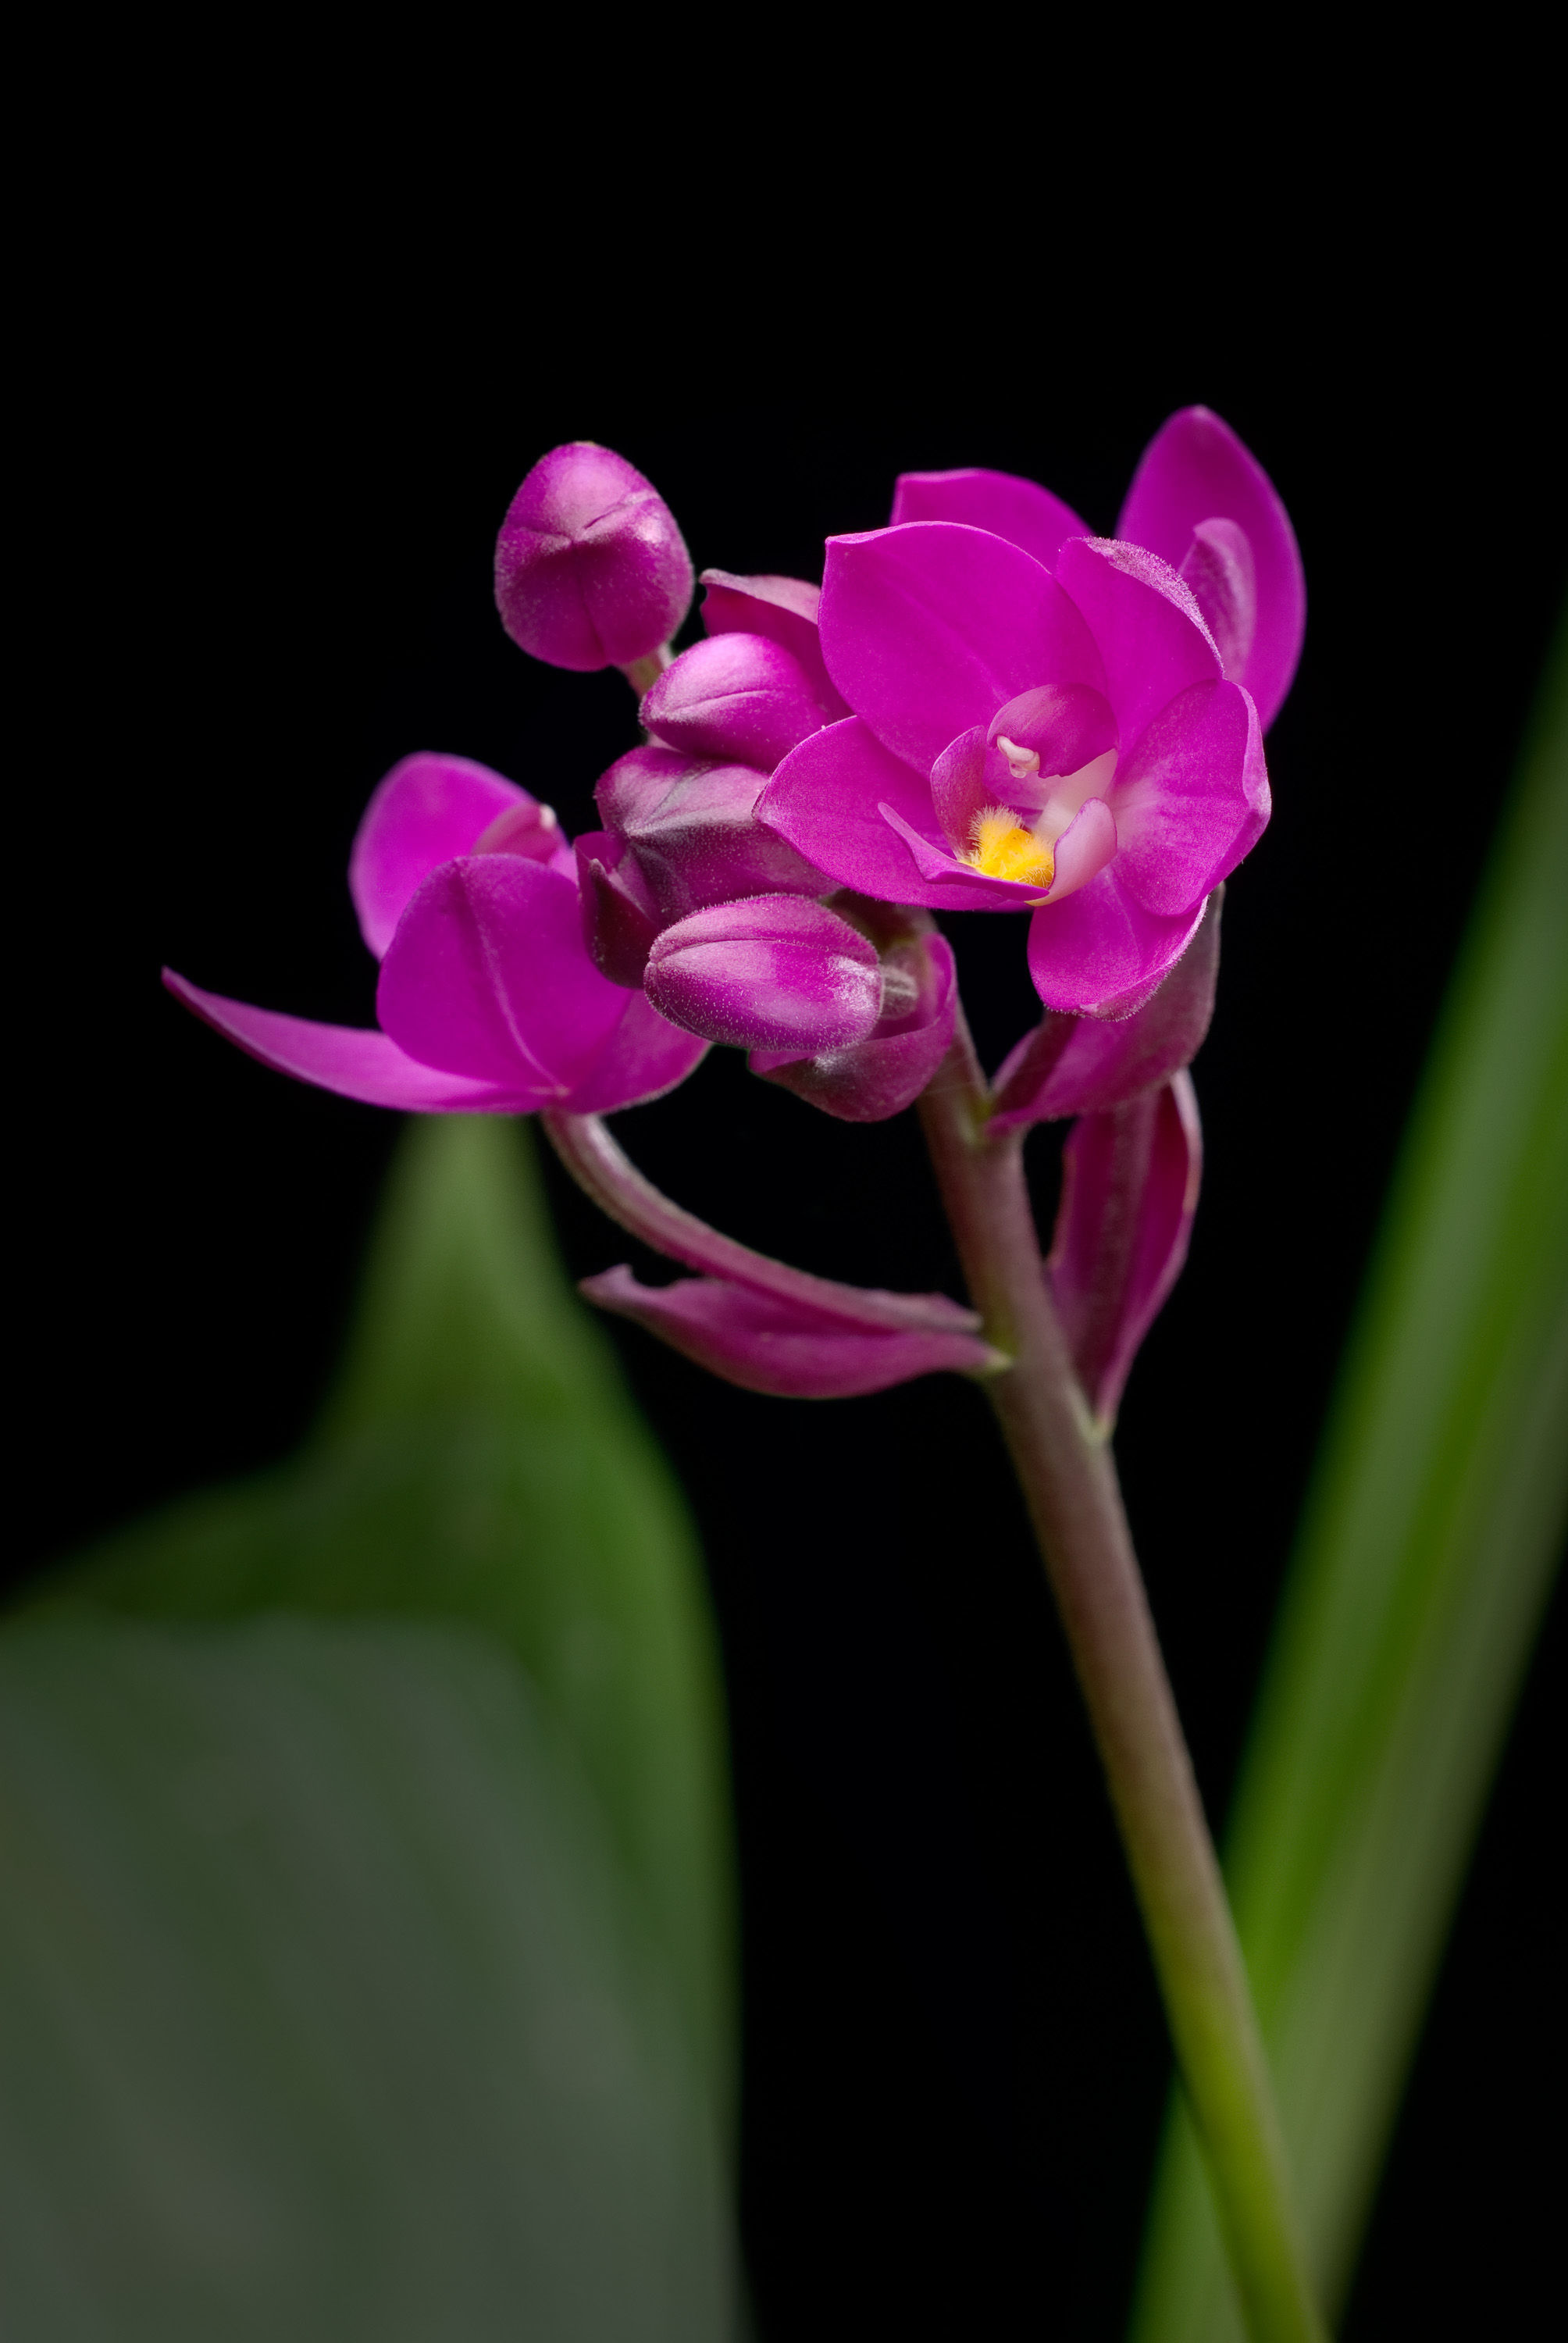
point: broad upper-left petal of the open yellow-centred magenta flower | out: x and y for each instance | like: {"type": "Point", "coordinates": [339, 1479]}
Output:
{"type": "Point", "coordinates": [929, 629]}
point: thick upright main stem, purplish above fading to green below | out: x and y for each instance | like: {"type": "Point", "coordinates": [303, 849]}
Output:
{"type": "Point", "coordinates": [1070, 1482]}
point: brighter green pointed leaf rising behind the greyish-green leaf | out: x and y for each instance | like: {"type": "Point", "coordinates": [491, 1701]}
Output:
{"type": "Point", "coordinates": [482, 1461]}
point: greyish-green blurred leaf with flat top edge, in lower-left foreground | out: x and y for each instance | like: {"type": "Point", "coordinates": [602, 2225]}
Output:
{"type": "Point", "coordinates": [322, 2009]}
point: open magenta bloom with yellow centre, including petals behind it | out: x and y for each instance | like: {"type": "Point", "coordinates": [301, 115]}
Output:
{"type": "Point", "coordinates": [1058, 739]}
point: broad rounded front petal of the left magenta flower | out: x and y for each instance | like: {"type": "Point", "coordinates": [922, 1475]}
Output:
{"type": "Point", "coordinates": [489, 976]}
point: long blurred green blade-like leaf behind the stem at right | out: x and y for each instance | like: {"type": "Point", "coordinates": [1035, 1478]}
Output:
{"type": "Point", "coordinates": [1422, 1576]}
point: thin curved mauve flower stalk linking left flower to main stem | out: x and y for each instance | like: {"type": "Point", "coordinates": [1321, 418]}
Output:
{"type": "Point", "coordinates": [615, 1184]}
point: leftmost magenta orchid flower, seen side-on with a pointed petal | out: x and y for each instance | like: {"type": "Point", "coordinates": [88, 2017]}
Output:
{"type": "Point", "coordinates": [489, 999]}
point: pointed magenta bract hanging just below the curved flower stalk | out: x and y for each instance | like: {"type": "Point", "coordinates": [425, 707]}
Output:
{"type": "Point", "coordinates": [777, 1346]}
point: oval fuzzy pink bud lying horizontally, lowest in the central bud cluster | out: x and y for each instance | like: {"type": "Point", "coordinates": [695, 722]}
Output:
{"type": "Point", "coordinates": [770, 974]}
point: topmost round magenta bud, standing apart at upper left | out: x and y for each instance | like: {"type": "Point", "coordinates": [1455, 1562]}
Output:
{"type": "Point", "coordinates": [589, 568]}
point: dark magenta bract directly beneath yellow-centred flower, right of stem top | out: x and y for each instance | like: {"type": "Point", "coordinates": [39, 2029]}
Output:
{"type": "Point", "coordinates": [1089, 1065]}
